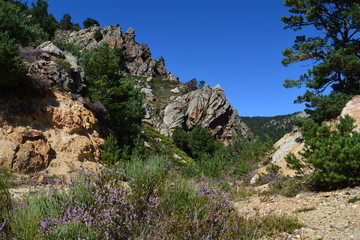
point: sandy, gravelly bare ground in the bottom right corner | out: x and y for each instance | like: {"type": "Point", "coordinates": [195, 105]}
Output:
{"type": "Point", "coordinates": [325, 215]}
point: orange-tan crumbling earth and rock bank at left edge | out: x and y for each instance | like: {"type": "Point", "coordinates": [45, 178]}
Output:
{"type": "Point", "coordinates": [60, 135]}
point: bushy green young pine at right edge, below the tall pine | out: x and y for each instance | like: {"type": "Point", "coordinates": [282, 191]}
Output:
{"type": "Point", "coordinates": [334, 155]}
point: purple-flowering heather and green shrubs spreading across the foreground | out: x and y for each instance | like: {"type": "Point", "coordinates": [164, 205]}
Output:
{"type": "Point", "coordinates": [152, 205]}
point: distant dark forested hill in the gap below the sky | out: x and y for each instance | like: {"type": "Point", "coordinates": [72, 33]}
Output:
{"type": "Point", "coordinates": [275, 127]}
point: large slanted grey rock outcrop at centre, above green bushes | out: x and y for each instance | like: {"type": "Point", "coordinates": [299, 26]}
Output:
{"type": "Point", "coordinates": [207, 107]}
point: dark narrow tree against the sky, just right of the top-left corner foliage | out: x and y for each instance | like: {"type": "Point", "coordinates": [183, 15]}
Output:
{"type": "Point", "coordinates": [40, 16]}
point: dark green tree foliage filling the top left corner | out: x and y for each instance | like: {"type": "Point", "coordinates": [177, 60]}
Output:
{"type": "Point", "coordinates": [14, 21]}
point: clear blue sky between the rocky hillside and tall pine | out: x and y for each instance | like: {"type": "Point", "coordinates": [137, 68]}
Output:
{"type": "Point", "coordinates": [234, 43]}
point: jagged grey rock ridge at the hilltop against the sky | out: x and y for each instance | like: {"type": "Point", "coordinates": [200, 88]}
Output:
{"type": "Point", "coordinates": [137, 57]}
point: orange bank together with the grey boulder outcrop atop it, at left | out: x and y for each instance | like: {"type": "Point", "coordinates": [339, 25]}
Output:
{"type": "Point", "coordinates": [53, 132]}
